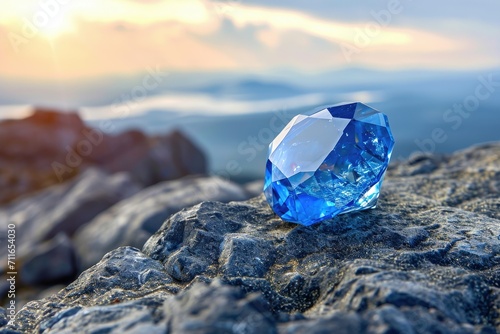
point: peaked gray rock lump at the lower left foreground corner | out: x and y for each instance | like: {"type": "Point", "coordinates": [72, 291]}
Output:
{"type": "Point", "coordinates": [124, 274]}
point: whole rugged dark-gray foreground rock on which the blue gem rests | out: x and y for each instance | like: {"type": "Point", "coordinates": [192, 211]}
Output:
{"type": "Point", "coordinates": [427, 260]}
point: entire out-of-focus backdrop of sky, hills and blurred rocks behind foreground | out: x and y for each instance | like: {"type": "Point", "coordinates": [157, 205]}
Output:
{"type": "Point", "coordinates": [109, 107]}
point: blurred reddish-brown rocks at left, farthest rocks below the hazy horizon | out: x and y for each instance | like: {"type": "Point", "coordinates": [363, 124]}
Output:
{"type": "Point", "coordinates": [50, 147]}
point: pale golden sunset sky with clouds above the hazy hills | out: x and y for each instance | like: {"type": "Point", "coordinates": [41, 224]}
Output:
{"type": "Point", "coordinates": [76, 40]}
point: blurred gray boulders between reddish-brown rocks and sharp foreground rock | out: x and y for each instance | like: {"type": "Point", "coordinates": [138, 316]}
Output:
{"type": "Point", "coordinates": [106, 211]}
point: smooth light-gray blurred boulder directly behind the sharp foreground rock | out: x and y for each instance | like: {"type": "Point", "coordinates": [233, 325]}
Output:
{"type": "Point", "coordinates": [132, 221]}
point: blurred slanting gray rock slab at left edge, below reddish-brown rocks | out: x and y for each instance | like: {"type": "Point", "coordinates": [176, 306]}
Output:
{"type": "Point", "coordinates": [62, 209]}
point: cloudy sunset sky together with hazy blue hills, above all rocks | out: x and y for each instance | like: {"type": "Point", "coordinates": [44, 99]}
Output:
{"type": "Point", "coordinates": [223, 70]}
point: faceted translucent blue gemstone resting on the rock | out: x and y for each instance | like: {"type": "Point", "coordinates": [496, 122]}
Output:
{"type": "Point", "coordinates": [329, 163]}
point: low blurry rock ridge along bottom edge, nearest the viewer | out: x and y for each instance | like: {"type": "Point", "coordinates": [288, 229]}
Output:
{"type": "Point", "coordinates": [225, 310]}
